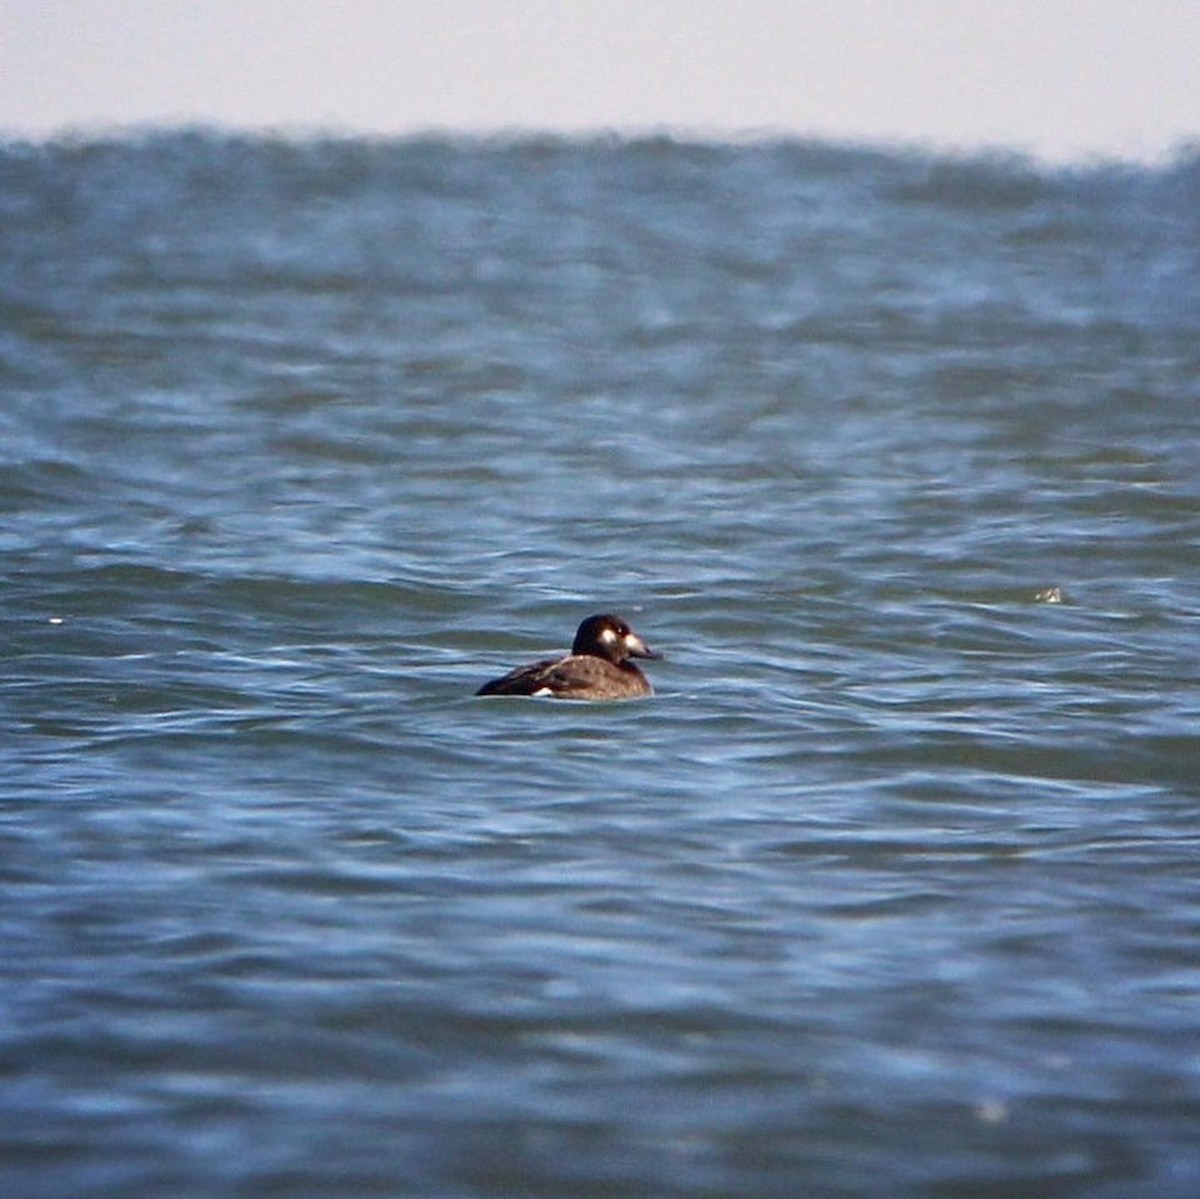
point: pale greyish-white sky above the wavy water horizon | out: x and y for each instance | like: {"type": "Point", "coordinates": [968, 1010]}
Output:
{"type": "Point", "coordinates": [1060, 80]}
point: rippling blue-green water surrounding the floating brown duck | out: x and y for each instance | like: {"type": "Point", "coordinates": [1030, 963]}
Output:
{"type": "Point", "coordinates": [892, 889]}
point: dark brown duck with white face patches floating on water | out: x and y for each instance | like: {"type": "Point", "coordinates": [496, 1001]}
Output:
{"type": "Point", "coordinates": [598, 668]}
